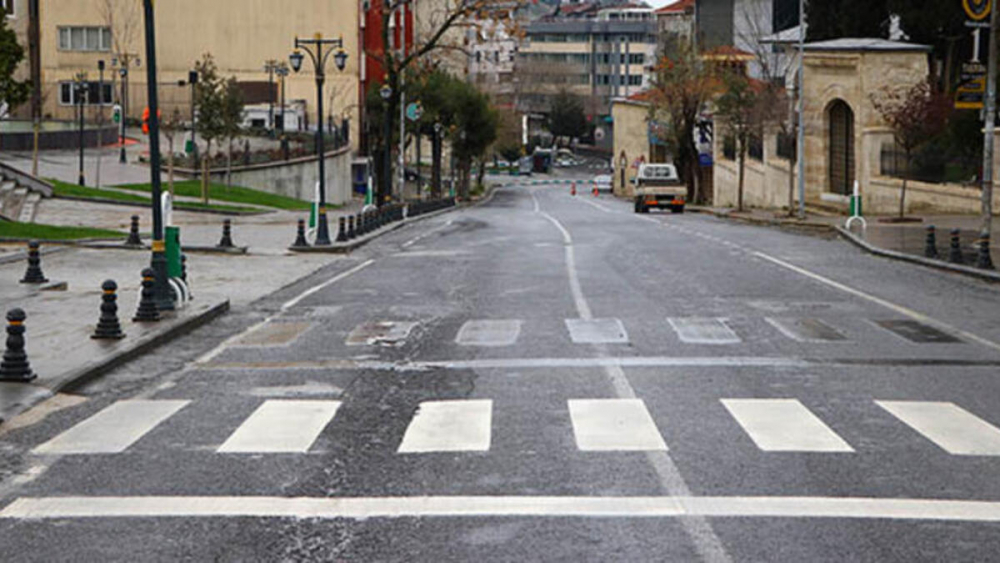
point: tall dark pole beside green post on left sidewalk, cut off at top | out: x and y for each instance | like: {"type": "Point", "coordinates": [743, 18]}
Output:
{"type": "Point", "coordinates": [161, 291]}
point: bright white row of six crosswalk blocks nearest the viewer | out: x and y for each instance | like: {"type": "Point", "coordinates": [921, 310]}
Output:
{"type": "Point", "coordinates": [772, 425]}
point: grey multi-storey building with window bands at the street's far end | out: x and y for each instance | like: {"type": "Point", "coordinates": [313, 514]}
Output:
{"type": "Point", "coordinates": [598, 53]}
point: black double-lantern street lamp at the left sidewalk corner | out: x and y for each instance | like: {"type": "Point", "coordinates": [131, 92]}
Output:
{"type": "Point", "coordinates": [319, 50]}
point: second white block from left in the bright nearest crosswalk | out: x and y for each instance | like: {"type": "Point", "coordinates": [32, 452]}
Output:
{"type": "Point", "coordinates": [281, 426]}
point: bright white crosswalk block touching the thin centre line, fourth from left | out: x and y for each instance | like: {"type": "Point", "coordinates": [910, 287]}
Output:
{"type": "Point", "coordinates": [609, 425]}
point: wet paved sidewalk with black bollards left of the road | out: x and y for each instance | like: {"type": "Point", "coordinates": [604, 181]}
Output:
{"type": "Point", "coordinates": [59, 323]}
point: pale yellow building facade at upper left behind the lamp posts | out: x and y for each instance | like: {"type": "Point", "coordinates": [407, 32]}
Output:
{"type": "Point", "coordinates": [241, 35]}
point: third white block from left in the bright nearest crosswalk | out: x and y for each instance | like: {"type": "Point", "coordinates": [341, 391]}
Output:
{"type": "Point", "coordinates": [450, 426]}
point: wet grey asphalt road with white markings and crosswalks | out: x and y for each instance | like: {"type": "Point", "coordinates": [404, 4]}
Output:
{"type": "Point", "coordinates": [543, 378]}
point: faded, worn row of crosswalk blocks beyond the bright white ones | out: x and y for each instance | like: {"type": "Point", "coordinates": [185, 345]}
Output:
{"type": "Point", "coordinates": [708, 331]}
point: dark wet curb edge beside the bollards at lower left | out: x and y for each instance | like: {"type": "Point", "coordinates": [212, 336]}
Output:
{"type": "Point", "coordinates": [76, 378]}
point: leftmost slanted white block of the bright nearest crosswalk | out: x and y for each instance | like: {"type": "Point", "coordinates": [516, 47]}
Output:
{"type": "Point", "coordinates": [113, 429]}
